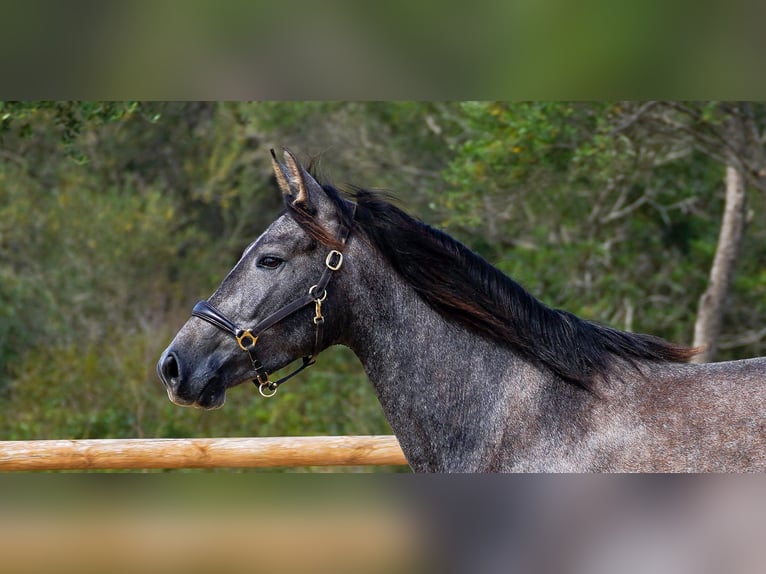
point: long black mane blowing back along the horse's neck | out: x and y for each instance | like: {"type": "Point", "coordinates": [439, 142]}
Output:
{"type": "Point", "coordinates": [464, 287]}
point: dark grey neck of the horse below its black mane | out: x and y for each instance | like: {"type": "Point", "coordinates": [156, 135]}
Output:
{"type": "Point", "coordinates": [447, 393]}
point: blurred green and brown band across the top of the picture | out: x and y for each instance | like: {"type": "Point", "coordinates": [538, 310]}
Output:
{"type": "Point", "coordinates": [392, 50]}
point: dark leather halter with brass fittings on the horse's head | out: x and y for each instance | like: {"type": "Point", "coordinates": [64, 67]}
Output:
{"type": "Point", "coordinates": [247, 338]}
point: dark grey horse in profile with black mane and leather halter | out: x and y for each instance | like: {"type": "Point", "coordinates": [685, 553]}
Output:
{"type": "Point", "coordinates": [473, 373]}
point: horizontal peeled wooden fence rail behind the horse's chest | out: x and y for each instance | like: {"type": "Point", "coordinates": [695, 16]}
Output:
{"type": "Point", "coordinates": [200, 453]}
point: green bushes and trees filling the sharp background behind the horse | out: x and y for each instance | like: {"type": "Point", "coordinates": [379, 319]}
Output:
{"type": "Point", "coordinates": [116, 217]}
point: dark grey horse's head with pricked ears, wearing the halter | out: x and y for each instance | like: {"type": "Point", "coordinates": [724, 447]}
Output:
{"type": "Point", "coordinates": [272, 307]}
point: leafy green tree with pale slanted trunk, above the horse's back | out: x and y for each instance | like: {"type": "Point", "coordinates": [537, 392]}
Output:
{"type": "Point", "coordinates": [621, 197]}
